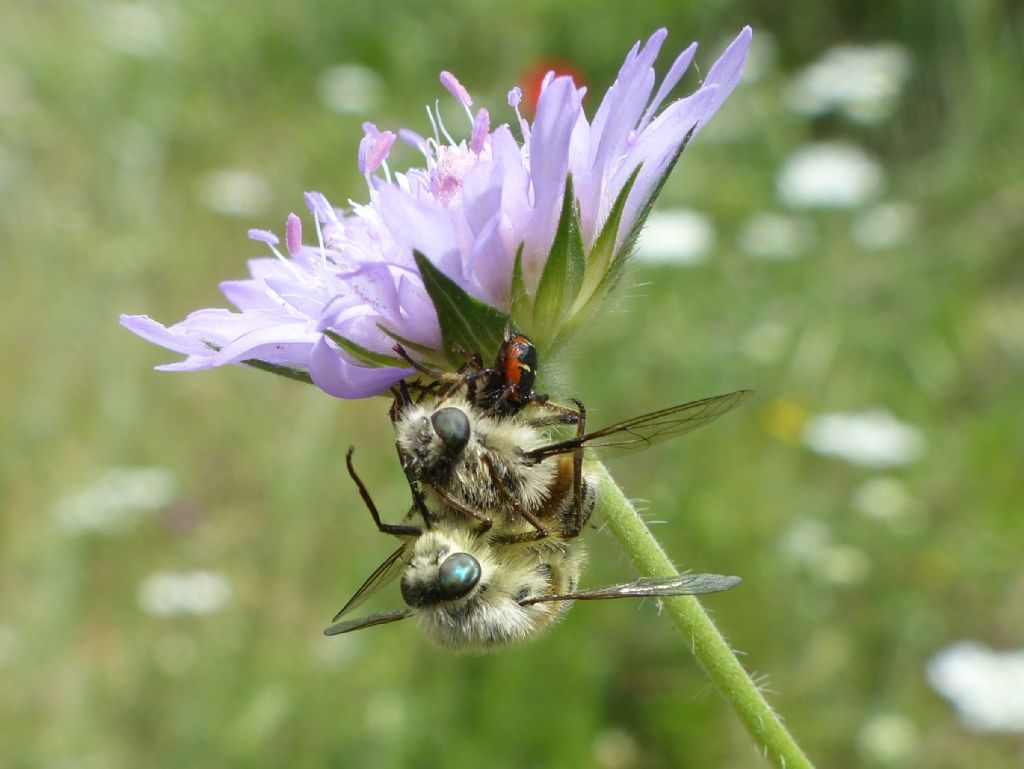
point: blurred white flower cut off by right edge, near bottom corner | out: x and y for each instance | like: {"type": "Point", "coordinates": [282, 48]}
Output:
{"type": "Point", "coordinates": [986, 687]}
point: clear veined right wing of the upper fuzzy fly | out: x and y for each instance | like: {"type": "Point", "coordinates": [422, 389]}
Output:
{"type": "Point", "coordinates": [648, 430]}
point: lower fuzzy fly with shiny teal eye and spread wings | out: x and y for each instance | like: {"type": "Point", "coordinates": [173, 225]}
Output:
{"type": "Point", "coordinates": [474, 591]}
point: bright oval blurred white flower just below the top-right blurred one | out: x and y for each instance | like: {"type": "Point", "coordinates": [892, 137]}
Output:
{"type": "Point", "coordinates": [829, 175]}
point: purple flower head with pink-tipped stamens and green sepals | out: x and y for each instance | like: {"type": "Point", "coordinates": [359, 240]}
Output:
{"type": "Point", "coordinates": [443, 258]}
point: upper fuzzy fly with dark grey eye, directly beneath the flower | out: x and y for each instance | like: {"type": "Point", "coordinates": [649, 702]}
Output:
{"type": "Point", "coordinates": [507, 469]}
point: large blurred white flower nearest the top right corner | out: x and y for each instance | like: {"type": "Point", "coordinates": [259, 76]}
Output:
{"type": "Point", "coordinates": [863, 82]}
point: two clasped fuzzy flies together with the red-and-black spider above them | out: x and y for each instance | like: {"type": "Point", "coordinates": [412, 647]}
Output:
{"type": "Point", "coordinates": [491, 553]}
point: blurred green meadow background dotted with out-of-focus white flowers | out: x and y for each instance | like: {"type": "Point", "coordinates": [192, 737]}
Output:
{"type": "Point", "coordinates": [174, 545]}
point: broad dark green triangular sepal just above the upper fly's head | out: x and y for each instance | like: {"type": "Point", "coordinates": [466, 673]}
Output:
{"type": "Point", "coordinates": [467, 324]}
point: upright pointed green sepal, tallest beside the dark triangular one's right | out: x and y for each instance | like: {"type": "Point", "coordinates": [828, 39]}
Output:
{"type": "Point", "coordinates": [564, 271]}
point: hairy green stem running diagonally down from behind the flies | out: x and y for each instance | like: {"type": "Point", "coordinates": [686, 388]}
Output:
{"type": "Point", "coordinates": [709, 647]}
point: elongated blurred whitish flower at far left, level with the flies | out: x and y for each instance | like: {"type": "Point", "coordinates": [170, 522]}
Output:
{"type": "Point", "coordinates": [117, 500]}
